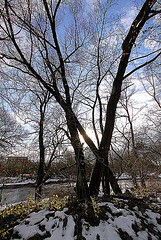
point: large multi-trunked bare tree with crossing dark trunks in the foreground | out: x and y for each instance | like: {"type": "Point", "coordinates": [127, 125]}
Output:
{"type": "Point", "coordinates": [40, 26]}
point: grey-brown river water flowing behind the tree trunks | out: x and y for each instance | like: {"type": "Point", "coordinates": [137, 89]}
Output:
{"type": "Point", "coordinates": [14, 195]}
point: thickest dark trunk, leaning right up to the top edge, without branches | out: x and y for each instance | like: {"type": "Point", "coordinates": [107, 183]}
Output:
{"type": "Point", "coordinates": [127, 45]}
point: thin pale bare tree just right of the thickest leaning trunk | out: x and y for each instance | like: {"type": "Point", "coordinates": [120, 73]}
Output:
{"type": "Point", "coordinates": [130, 135]}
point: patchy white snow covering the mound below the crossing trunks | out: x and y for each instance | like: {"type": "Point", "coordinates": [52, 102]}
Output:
{"type": "Point", "coordinates": [120, 222]}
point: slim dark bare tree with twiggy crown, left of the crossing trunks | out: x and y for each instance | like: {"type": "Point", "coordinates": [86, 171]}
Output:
{"type": "Point", "coordinates": [46, 135]}
